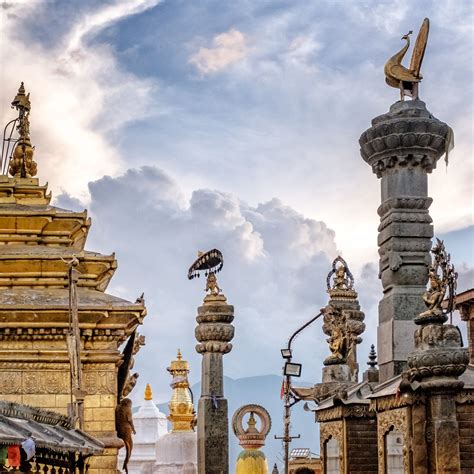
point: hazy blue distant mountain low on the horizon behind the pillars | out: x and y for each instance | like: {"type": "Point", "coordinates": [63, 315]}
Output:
{"type": "Point", "coordinates": [265, 390]}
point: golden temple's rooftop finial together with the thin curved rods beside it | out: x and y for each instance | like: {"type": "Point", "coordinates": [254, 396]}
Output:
{"type": "Point", "coordinates": [19, 163]}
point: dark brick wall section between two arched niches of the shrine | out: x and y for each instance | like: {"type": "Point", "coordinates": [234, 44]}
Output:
{"type": "Point", "coordinates": [362, 445]}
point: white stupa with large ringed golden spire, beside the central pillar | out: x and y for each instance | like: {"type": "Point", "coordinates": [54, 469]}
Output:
{"type": "Point", "coordinates": [176, 452]}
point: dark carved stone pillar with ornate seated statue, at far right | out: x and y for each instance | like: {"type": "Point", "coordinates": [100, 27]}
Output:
{"type": "Point", "coordinates": [435, 365]}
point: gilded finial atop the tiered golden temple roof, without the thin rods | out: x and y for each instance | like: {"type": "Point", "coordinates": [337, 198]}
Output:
{"type": "Point", "coordinates": [22, 164]}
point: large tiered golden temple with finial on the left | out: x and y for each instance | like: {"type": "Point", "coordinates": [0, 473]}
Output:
{"type": "Point", "coordinates": [42, 259]}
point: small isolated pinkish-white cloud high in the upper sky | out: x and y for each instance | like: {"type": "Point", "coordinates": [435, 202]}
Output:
{"type": "Point", "coordinates": [228, 48]}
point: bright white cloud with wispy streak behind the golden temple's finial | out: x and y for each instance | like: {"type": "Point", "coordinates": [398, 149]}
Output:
{"type": "Point", "coordinates": [78, 93]}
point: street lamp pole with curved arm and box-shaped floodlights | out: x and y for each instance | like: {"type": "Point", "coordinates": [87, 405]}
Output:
{"type": "Point", "coordinates": [291, 369]}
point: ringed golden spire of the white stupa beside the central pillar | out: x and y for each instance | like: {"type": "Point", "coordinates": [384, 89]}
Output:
{"type": "Point", "coordinates": [182, 414]}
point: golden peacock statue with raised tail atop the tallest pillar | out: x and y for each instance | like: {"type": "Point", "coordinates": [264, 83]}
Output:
{"type": "Point", "coordinates": [407, 79]}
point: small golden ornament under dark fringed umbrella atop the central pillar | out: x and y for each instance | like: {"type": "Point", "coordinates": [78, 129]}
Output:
{"type": "Point", "coordinates": [210, 263]}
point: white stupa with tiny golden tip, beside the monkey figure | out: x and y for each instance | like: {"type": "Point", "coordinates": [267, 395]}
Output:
{"type": "Point", "coordinates": [150, 424]}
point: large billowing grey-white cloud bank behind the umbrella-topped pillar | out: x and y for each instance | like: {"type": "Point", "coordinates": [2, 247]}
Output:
{"type": "Point", "coordinates": [276, 262]}
